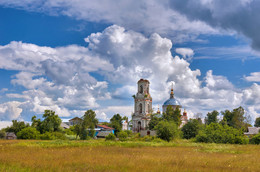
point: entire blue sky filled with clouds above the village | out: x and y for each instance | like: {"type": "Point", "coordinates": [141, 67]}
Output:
{"type": "Point", "coordinates": [71, 56]}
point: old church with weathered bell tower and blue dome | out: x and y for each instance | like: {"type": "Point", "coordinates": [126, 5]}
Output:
{"type": "Point", "coordinates": [143, 108]}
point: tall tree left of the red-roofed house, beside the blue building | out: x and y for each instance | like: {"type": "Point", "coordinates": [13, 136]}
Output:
{"type": "Point", "coordinates": [88, 125]}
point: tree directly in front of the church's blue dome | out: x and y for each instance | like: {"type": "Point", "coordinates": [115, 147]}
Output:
{"type": "Point", "coordinates": [173, 115]}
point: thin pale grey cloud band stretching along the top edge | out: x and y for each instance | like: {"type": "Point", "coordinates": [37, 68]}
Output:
{"type": "Point", "coordinates": [142, 16]}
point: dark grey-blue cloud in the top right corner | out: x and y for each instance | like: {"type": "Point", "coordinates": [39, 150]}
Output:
{"type": "Point", "coordinates": [237, 15]}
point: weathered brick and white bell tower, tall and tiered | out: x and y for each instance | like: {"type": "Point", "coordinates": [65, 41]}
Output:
{"type": "Point", "coordinates": [143, 106]}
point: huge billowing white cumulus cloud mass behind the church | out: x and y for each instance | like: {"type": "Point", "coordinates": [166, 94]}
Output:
{"type": "Point", "coordinates": [64, 78]}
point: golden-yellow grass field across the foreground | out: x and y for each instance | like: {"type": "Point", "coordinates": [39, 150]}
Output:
{"type": "Point", "coordinates": [99, 155]}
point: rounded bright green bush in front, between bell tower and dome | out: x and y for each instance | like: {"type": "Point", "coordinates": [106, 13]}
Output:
{"type": "Point", "coordinates": [167, 130]}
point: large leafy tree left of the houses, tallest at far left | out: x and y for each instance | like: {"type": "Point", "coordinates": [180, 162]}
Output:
{"type": "Point", "coordinates": [51, 122]}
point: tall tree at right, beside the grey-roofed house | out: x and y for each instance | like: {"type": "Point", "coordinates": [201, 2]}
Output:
{"type": "Point", "coordinates": [236, 118]}
